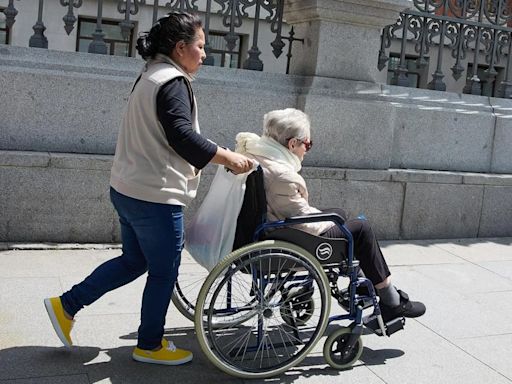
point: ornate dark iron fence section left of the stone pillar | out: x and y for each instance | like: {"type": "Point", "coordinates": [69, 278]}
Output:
{"type": "Point", "coordinates": [233, 13]}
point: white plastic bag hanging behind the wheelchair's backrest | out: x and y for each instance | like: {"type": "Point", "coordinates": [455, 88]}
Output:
{"type": "Point", "coordinates": [209, 236]}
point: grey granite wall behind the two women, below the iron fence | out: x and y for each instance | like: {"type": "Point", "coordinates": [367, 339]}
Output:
{"type": "Point", "coordinates": [419, 164]}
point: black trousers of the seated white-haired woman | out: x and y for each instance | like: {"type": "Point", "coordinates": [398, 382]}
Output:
{"type": "Point", "coordinates": [366, 247]}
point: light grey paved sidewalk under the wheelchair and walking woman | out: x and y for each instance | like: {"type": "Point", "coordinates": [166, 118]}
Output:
{"type": "Point", "coordinates": [465, 336]}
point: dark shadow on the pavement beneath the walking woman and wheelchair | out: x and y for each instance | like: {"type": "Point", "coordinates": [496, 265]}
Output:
{"type": "Point", "coordinates": [83, 364]}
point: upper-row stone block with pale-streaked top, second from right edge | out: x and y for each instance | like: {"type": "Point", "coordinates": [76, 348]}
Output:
{"type": "Point", "coordinates": [441, 130]}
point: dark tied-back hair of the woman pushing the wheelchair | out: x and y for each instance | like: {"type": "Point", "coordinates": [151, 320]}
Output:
{"type": "Point", "coordinates": [167, 32]}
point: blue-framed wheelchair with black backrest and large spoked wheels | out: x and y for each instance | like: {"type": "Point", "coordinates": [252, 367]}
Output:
{"type": "Point", "coordinates": [266, 305]}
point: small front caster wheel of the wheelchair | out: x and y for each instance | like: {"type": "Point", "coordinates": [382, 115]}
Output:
{"type": "Point", "coordinates": [337, 351]}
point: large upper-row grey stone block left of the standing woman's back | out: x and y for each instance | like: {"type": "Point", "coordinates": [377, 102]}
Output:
{"type": "Point", "coordinates": [60, 112]}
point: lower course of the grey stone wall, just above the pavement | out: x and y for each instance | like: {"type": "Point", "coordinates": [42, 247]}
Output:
{"type": "Point", "coordinates": [55, 197]}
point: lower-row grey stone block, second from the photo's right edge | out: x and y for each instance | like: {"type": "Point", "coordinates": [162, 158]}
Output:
{"type": "Point", "coordinates": [441, 211]}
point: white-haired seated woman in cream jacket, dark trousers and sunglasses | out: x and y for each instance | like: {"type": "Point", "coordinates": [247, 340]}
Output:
{"type": "Point", "coordinates": [280, 151]}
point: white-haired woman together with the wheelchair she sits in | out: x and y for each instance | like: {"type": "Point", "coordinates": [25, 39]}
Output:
{"type": "Point", "coordinates": [263, 308]}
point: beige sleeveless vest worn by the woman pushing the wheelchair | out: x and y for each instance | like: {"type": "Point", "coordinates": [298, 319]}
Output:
{"type": "Point", "coordinates": [145, 166]}
